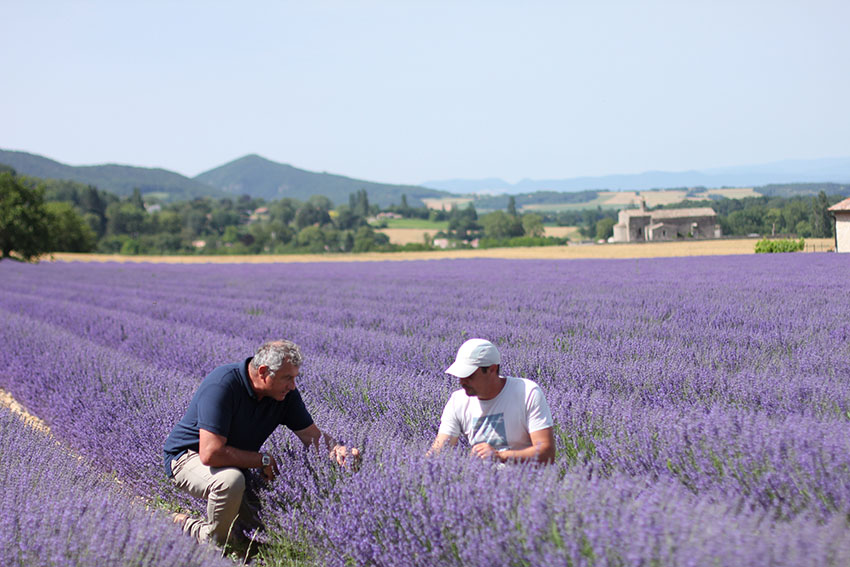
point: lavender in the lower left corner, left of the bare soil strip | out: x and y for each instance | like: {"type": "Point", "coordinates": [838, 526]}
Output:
{"type": "Point", "coordinates": [56, 509]}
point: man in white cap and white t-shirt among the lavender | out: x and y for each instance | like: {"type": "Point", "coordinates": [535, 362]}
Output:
{"type": "Point", "coordinates": [502, 417]}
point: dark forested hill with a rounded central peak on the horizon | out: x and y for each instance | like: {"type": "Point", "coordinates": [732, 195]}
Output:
{"type": "Point", "coordinates": [256, 176]}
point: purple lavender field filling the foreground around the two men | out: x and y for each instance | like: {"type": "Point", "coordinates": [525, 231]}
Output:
{"type": "Point", "coordinates": [702, 405]}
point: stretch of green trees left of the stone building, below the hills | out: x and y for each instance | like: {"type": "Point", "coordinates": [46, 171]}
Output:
{"type": "Point", "coordinates": [49, 215]}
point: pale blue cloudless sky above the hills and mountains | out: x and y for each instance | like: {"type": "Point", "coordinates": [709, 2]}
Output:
{"type": "Point", "coordinates": [409, 91]}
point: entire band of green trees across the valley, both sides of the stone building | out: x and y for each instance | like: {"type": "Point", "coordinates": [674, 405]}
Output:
{"type": "Point", "coordinates": [50, 215]}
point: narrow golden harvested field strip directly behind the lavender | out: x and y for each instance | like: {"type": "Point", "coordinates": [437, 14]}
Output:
{"type": "Point", "coordinates": [612, 251]}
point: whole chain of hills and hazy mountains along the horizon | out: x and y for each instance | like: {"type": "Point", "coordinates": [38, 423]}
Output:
{"type": "Point", "coordinates": [257, 176]}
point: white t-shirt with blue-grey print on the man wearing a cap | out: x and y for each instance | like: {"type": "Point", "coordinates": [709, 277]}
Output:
{"type": "Point", "coordinates": [504, 421]}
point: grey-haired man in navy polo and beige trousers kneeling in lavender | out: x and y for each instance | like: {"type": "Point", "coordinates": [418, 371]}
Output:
{"type": "Point", "coordinates": [233, 412]}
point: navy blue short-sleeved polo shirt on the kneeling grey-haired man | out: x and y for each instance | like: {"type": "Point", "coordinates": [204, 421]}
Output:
{"type": "Point", "coordinates": [226, 405]}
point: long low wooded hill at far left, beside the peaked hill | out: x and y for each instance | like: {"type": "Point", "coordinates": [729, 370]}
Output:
{"type": "Point", "coordinates": [117, 179]}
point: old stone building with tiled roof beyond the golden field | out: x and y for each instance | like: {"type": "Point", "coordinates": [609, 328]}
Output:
{"type": "Point", "coordinates": [638, 225]}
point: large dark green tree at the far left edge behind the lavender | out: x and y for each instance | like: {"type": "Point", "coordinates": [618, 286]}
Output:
{"type": "Point", "coordinates": [24, 221]}
